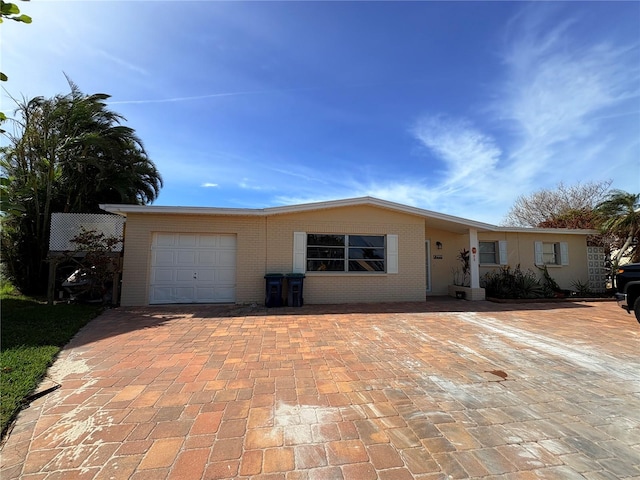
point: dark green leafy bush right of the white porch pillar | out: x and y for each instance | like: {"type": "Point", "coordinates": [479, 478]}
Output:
{"type": "Point", "coordinates": [516, 283]}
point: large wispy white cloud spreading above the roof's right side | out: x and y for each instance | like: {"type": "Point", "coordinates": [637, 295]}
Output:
{"type": "Point", "coordinates": [552, 103]}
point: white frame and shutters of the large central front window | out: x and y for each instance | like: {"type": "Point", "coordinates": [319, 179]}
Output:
{"type": "Point", "coordinates": [300, 255]}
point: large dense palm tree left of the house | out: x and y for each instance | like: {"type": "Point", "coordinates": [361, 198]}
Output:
{"type": "Point", "coordinates": [70, 154]}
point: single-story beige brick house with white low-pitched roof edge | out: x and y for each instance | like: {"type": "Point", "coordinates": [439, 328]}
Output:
{"type": "Point", "coordinates": [353, 250]}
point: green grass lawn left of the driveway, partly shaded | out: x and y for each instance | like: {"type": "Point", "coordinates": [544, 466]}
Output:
{"type": "Point", "coordinates": [32, 334]}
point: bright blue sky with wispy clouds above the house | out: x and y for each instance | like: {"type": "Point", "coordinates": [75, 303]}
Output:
{"type": "Point", "coordinates": [457, 107]}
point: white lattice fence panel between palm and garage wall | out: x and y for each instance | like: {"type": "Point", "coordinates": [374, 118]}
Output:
{"type": "Point", "coordinates": [65, 226]}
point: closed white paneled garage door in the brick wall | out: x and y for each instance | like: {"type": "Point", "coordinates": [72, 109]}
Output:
{"type": "Point", "coordinates": [193, 268]}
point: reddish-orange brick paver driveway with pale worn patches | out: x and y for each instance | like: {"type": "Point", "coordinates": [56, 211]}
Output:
{"type": "Point", "coordinates": [443, 389]}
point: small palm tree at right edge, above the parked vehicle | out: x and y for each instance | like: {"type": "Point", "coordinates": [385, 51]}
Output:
{"type": "Point", "coordinates": [619, 216]}
